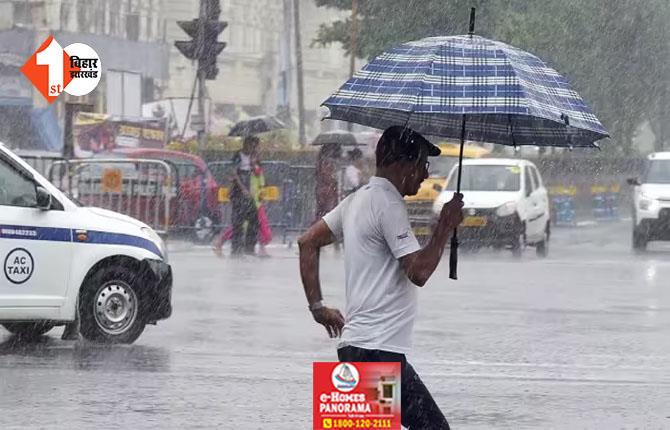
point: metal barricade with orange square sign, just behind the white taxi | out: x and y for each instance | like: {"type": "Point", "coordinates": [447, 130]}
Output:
{"type": "Point", "coordinates": [144, 189]}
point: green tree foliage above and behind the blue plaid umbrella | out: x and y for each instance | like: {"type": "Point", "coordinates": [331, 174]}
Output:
{"type": "Point", "coordinates": [616, 53]}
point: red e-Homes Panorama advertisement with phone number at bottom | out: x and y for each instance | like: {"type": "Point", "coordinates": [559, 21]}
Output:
{"type": "Point", "coordinates": [356, 396]}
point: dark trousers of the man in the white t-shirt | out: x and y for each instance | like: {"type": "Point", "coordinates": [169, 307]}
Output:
{"type": "Point", "coordinates": [419, 410]}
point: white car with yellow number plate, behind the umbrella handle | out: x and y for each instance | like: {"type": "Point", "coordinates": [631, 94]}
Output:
{"type": "Point", "coordinates": [506, 205]}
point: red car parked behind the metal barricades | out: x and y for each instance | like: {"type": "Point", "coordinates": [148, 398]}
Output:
{"type": "Point", "coordinates": [197, 208]}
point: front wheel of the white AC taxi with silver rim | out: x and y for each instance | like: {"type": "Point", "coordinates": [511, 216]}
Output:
{"type": "Point", "coordinates": [109, 306]}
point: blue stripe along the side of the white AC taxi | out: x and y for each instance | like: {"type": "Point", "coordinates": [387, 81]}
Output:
{"type": "Point", "coordinates": [56, 234]}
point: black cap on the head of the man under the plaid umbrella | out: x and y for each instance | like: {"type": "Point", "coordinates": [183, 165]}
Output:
{"type": "Point", "coordinates": [398, 142]}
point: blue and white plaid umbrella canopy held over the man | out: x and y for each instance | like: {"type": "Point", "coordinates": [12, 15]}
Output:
{"type": "Point", "coordinates": [507, 96]}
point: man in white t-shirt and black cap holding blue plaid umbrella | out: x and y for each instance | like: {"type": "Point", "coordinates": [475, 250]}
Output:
{"type": "Point", "coordinates": [460, 86]}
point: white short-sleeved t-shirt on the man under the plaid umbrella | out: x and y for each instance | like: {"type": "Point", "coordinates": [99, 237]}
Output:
{"type": "Point", "coordinates": [381, 301]}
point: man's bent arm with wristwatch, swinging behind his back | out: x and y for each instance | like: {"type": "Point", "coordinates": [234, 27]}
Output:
{"type": "Point", "coordinates": [310, 244]}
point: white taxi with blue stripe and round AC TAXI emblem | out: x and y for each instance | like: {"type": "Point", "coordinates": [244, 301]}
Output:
{"type": "Point", "coordinates": [62, 261]}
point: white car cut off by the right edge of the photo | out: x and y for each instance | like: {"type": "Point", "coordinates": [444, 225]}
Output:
{"type": "Point", "coordinates": [651, 201]}
